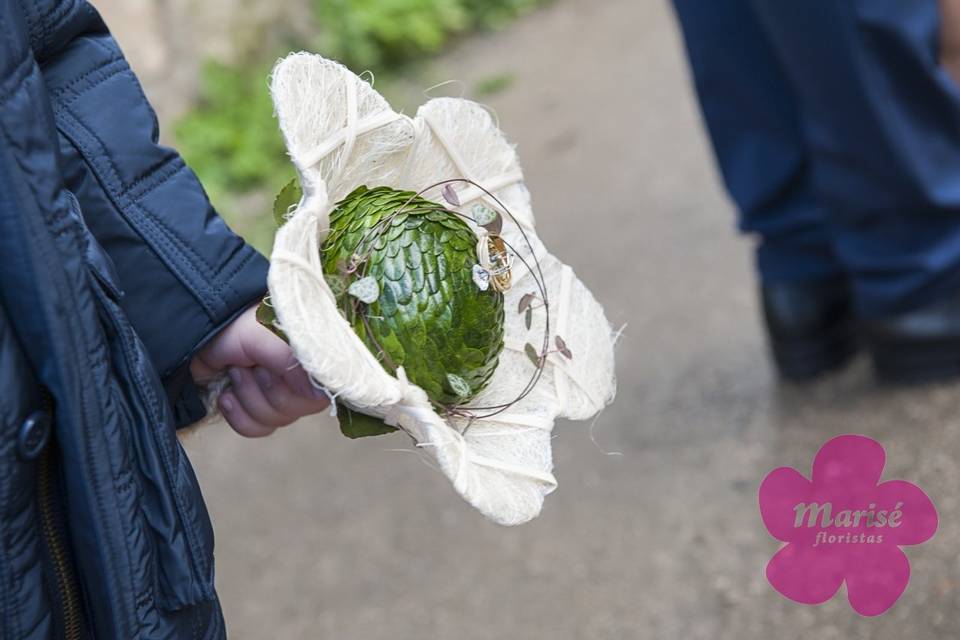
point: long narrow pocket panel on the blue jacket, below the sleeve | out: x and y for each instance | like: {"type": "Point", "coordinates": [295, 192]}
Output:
{"type": "Point", "coordinates": [170, 502]}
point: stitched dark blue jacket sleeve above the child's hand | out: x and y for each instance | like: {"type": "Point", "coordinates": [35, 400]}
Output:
{"type": "Point", "coordinates": [184, 274]}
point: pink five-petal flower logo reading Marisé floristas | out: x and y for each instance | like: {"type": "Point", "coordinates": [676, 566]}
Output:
{"type": "Point", "coordinates": [844, 525]}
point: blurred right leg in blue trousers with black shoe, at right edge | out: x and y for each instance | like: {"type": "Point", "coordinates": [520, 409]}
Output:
{"type": "Point", "coordinates": [883, 126]}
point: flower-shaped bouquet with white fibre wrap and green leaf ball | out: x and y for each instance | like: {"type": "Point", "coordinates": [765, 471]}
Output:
{"type": "Point", "coordinates": [409, 280]}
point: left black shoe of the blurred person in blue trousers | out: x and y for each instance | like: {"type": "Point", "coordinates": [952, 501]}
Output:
{"type": "Point", "coordinates": [811, 326]}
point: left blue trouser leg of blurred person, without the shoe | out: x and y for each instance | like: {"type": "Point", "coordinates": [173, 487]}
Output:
{"type": "Point", "coordinates": [754, 123]}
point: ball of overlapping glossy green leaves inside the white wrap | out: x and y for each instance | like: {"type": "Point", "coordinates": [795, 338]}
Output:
{"type": "Point", "coordinates": [430, 317]}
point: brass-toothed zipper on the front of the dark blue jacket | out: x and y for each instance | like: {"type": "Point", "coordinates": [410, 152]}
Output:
{"type": "Point", "coordinates": [65, 582]}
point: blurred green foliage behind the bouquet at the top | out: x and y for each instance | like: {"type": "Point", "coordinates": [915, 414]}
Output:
{"type": "Point", "coordinates": [231, 139]}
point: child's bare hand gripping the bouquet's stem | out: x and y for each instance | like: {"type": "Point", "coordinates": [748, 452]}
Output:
{"type": "Point", "coordinates": [268, 388]}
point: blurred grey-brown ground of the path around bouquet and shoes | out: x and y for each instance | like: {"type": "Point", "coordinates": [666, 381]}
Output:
{"type": "Point", "coordinates": [321, 537]}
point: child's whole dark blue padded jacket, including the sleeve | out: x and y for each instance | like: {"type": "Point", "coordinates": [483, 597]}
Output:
{"type": "Point", "coordinates": [114, 269]}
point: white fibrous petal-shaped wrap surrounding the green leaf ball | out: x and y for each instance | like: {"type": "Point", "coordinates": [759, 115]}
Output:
{"type": "Point", "coordinates": [341, 134]}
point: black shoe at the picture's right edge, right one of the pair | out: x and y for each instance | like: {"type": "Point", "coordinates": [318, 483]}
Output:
{"type": "Point", "coordinates": [917, 346]}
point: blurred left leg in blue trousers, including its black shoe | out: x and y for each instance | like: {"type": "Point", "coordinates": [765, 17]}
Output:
{"type": "Point", "coordinates": [755, 126]}
